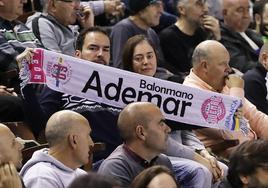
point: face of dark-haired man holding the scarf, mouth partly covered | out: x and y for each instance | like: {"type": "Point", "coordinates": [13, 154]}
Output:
{"type": "Point", "coordinates": [96, 48]}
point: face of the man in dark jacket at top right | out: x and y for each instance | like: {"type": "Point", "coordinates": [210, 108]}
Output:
{"type": "Point", "coordinates": [237, 16]}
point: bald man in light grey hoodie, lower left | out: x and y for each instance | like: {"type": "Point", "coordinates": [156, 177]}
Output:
{"type": "Point", "coordinates": [68, 136]}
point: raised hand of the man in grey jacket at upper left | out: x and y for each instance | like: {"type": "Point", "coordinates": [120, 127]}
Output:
{"type": "Point", "coordinates": [86, 19]}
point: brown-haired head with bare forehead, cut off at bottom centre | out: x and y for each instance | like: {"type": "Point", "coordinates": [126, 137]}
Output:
{"type": "Point", "coordinates": [155, 177]}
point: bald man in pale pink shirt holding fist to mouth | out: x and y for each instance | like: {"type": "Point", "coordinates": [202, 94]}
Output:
{"type": "Point", "coordinates": [211, 71]}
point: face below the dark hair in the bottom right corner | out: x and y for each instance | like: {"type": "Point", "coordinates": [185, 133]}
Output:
{"type": "Point", "coordinates": [258, 179]}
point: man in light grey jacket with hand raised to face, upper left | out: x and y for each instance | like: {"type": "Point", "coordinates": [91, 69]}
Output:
{"type": "Point", "coordinates": [53, 28]}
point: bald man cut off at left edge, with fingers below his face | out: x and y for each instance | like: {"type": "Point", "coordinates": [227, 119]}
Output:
{"type": "Point", "coordinates": [10, 158]}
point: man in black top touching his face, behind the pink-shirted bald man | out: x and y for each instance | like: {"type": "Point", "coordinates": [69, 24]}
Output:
{"type": "Point", "coordinates": [193, 26]}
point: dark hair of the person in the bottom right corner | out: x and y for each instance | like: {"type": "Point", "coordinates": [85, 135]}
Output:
{"type": "Point", "coordinates": [245, 160]}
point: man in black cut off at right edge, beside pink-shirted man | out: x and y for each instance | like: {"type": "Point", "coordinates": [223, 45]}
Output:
{"type": "Point", "coordinates": [256, 86]}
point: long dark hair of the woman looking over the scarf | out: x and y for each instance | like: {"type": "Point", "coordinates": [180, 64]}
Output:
{"type": "Point", "coordinates": [128, 50]}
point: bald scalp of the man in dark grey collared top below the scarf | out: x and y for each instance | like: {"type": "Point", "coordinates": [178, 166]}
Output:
{"type": "Point", "coordinates": [137, 113]}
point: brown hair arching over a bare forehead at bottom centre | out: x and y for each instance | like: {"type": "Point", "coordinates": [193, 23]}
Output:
{"type": "Point", "coordinates": [145, 177]}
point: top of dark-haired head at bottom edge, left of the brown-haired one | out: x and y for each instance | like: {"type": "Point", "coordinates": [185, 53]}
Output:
{"type": "Point", "coordinates": [93, 180]}
